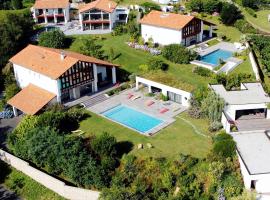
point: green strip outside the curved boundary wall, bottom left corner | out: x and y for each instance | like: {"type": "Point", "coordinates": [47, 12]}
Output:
{"type": "Point", "coordinates": [27, 188]}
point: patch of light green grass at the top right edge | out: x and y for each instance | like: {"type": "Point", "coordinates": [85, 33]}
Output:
{"type": "Point", "coordinates": [261, 21]}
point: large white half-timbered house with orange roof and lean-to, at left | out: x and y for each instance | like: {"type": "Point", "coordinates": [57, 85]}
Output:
{"type": "Point", "coordinates": [46, 74]}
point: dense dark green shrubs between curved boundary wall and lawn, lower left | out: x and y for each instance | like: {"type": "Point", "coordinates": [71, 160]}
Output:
{"type": "Point", "coordinates": [45, 140]}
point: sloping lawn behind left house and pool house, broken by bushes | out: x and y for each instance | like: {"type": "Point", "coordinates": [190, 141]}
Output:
{"type": "Point", "coordinates": [130, 59]}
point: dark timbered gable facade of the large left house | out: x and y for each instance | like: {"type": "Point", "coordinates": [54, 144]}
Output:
{"type": "Point", "coordinates": [80, 74]}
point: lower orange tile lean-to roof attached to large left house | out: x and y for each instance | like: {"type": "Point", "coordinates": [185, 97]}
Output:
{"type": "Point", "coordinates": [31, 99]}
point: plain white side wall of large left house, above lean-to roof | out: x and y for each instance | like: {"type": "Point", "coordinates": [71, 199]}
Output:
{"type": "Point", "coordinates": [25, 76]}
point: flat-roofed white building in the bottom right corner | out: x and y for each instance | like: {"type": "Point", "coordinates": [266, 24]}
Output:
{"type": "Point", "coordinates": [253, 154]}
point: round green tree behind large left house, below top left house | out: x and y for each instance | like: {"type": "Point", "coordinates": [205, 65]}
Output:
{"type": "Point", "coordinates": [52, 39]}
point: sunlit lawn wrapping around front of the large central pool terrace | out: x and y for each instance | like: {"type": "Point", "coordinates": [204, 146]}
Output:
{"type": "Point", "coordinates": [177, 138]}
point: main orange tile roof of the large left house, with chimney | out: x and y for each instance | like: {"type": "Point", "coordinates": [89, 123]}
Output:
{"type": "Point", "coordinates": [47, 61]}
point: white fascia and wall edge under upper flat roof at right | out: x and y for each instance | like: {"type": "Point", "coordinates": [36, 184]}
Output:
{"type": "Point", "coordinates": [230, 110]}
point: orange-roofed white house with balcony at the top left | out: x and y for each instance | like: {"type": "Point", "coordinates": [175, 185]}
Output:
{"type": "Point", "coordinates": [51, 11]}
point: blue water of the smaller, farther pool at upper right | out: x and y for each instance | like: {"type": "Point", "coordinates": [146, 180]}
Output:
{"type": "Point", "coordinates": [213, 57]}
